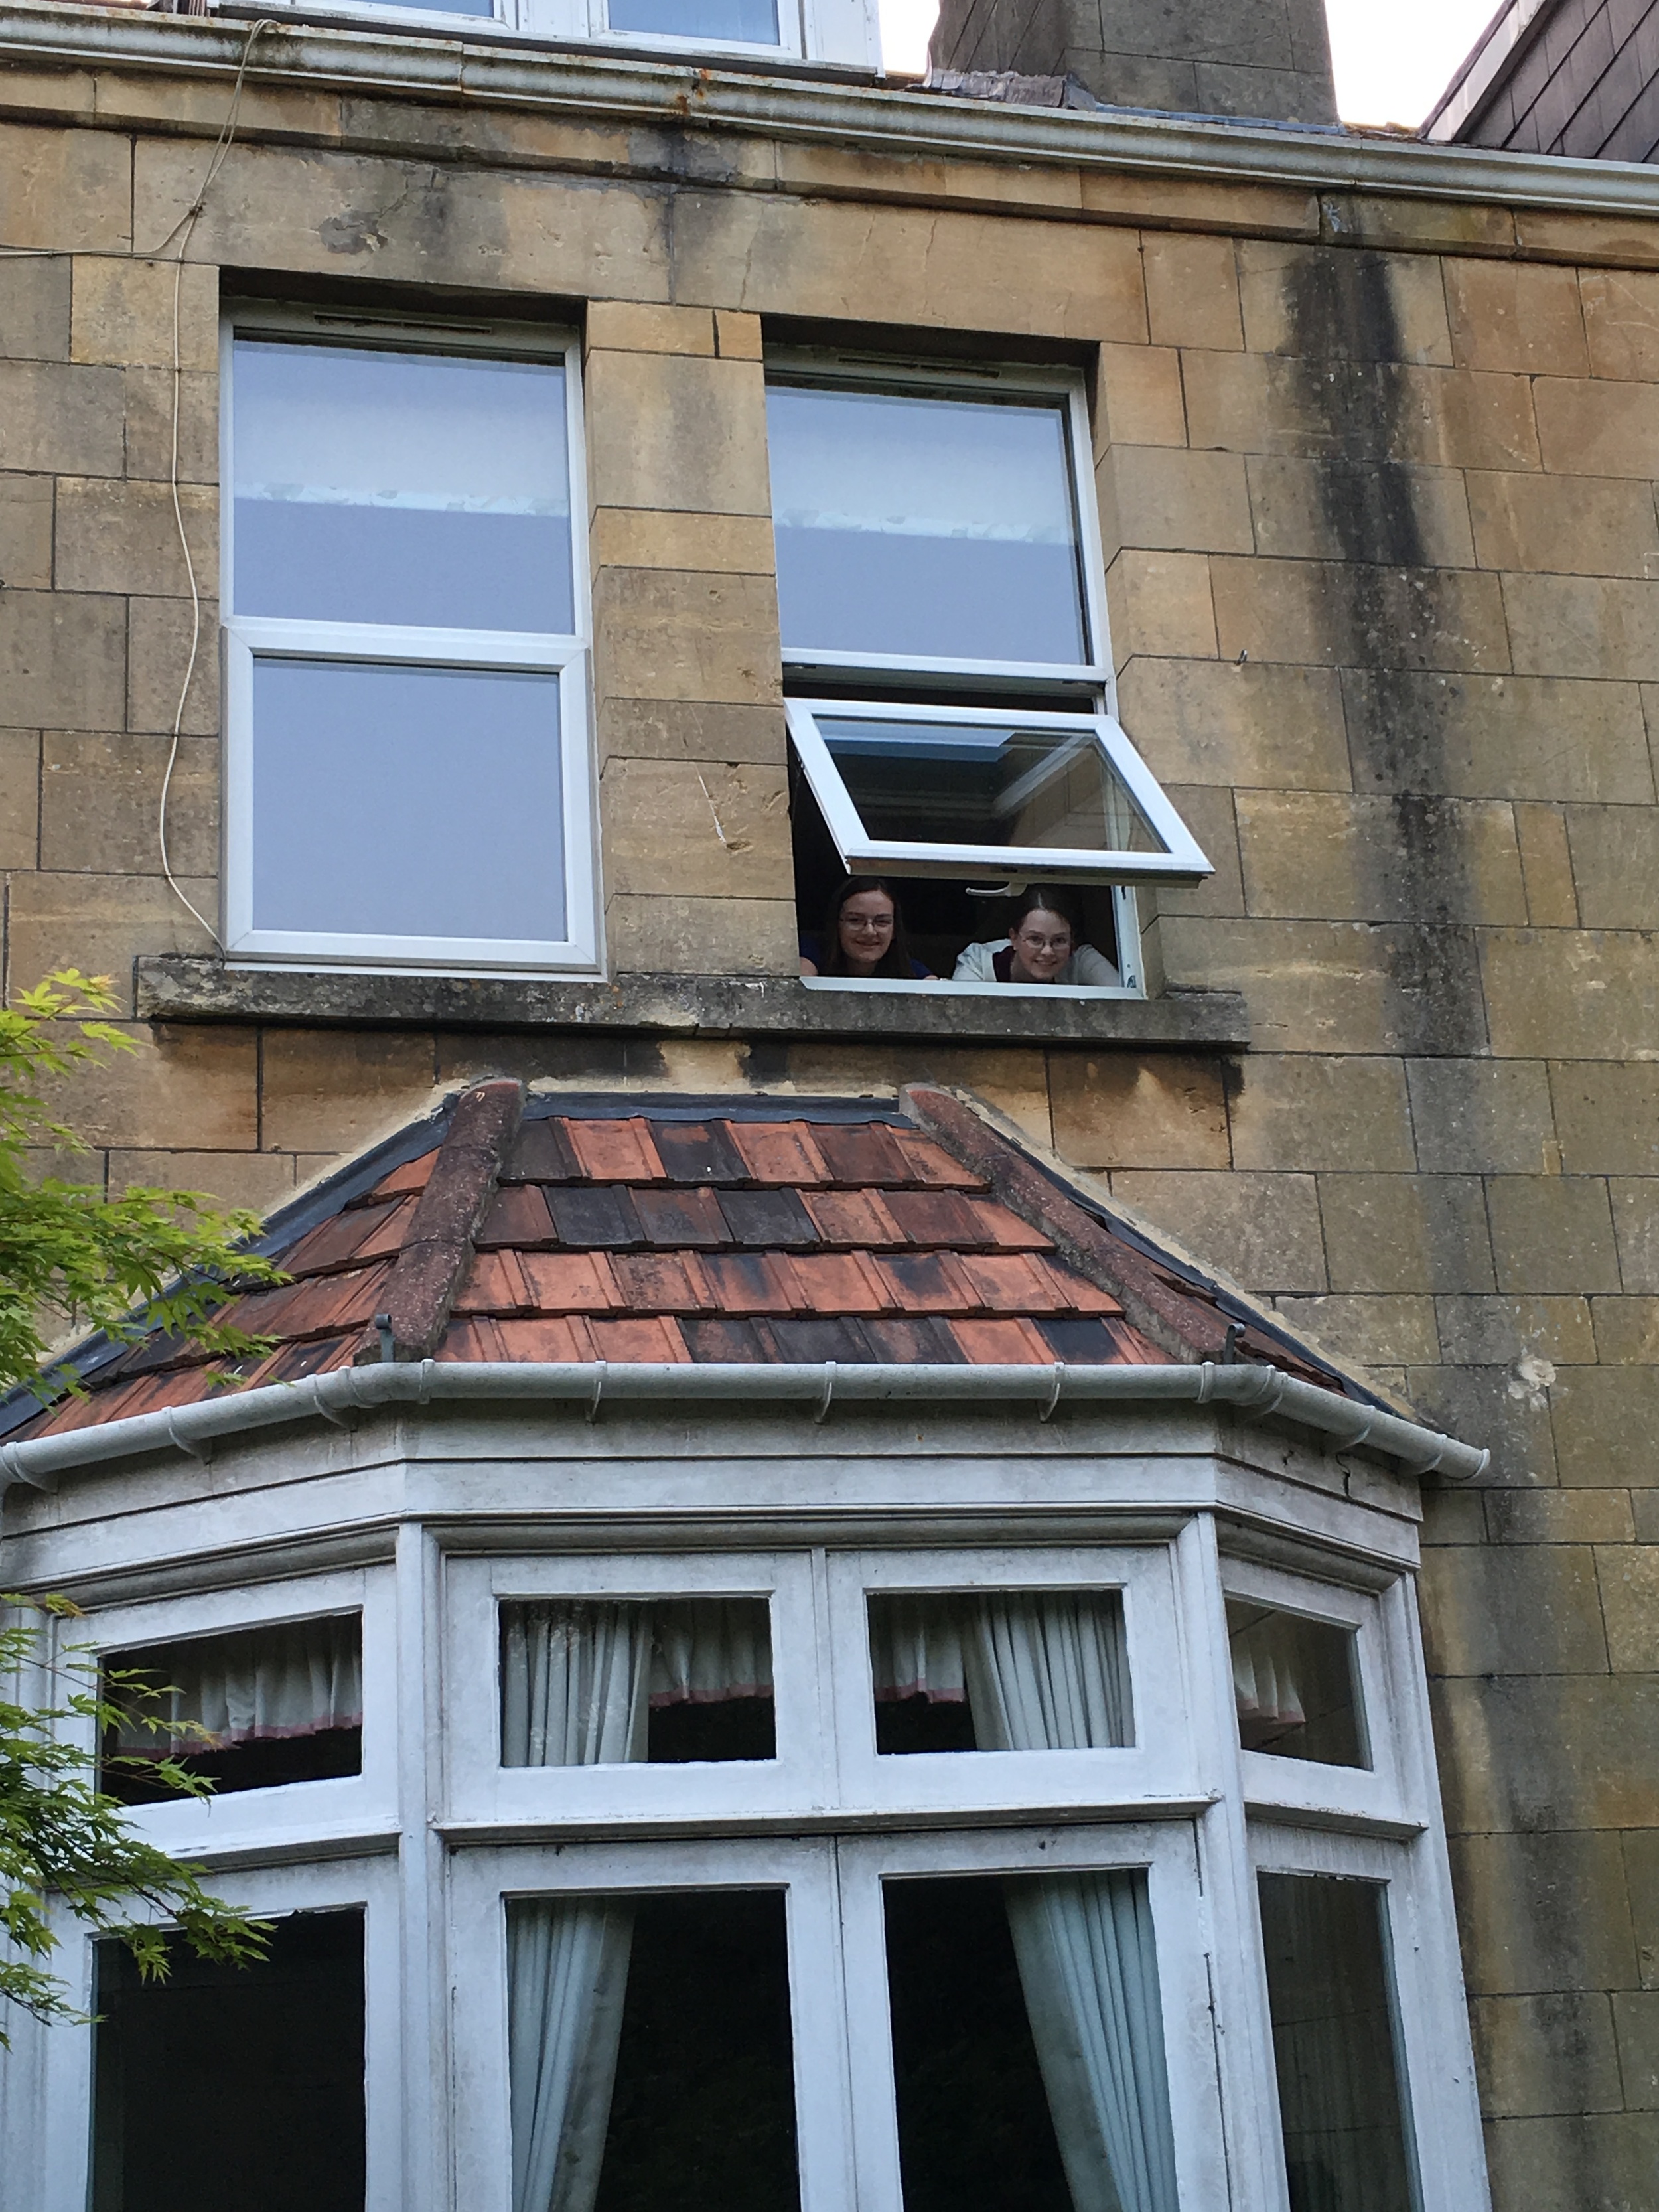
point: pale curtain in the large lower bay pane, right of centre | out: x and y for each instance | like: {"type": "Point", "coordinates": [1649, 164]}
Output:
{"type": "Point", "coordinates": [1089, 1976]}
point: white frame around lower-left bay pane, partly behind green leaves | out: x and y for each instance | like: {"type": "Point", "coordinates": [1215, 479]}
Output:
{"type": "Point", "coordinates": [366, 1886]}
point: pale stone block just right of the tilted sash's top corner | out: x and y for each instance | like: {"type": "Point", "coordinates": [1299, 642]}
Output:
{"type": "Point", "coordinates": [1238, 724]}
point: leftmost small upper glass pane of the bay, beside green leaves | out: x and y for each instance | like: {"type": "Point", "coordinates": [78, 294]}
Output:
{"type": "Point", "coordinates": [249, 1711]}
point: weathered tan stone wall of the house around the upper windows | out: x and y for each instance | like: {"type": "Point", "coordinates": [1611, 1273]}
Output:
{"type": "Point", "coordinates": [1377, 435]}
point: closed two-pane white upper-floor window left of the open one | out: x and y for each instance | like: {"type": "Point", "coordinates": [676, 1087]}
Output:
{"type": "Point", "coordinates": [406, 645]}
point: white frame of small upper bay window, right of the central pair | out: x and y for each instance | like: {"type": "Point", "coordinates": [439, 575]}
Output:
{"type": "Point", "coordinates": [1160, 1764]}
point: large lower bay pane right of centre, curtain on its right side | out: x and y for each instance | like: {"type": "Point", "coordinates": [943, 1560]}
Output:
{"type": "Point", "coordinates": [1030, 2045]}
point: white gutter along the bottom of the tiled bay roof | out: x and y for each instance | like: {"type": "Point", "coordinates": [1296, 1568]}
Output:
{"type": "Point", "coordinates": [1251, 1390]}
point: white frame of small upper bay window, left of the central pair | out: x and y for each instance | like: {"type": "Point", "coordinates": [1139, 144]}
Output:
{"type": "Point", "coordinates": [483, 1791]}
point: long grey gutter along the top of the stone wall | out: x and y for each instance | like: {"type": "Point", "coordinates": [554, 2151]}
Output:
{"type": "Point", "coordinates": [899, 125]}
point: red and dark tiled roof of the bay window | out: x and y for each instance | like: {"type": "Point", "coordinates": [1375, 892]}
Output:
{"type": "Point", "coordinates": [713, 1231]}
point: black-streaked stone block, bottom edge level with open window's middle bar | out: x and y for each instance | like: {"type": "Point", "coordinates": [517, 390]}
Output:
{"type": "Point", "coordinates": [1355, 616]}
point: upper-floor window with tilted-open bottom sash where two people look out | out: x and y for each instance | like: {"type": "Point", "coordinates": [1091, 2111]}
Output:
{"type": "Point", "coordinates": [948, 669]}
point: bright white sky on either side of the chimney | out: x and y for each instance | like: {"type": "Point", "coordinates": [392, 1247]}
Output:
{"type": "Point", "coordinates": [1392, 56]}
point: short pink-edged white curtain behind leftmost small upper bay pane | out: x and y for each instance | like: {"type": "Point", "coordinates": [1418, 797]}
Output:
{"type": "Point", "coordinates": [258, 1687]}
